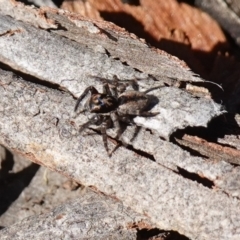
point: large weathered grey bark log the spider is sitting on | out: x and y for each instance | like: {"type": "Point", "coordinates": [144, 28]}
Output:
{"type": "Point", "coordinates": [62, 51]}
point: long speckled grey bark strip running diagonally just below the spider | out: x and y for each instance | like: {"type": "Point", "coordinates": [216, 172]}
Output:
{"type": "Point", "coordinates": [28, 125]}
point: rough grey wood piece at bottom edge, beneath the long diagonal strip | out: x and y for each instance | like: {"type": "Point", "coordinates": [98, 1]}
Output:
{"type": "Point", "coordinates": [91, 216]}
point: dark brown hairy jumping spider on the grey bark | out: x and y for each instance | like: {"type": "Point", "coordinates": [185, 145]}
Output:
{"type": "Point", "coordinates": [115, 105]}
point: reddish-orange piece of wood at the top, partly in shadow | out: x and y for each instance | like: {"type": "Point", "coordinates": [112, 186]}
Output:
{"type": "Point", "coordinates": [176, 27]}
